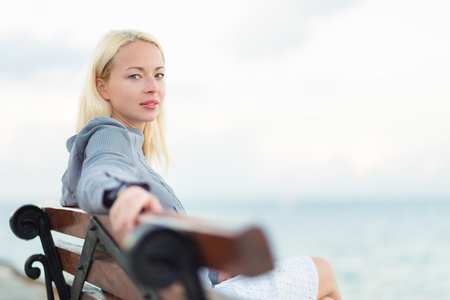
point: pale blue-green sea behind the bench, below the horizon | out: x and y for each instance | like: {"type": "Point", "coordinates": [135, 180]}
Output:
{"type": "Point", "coordinates": [378, 250]}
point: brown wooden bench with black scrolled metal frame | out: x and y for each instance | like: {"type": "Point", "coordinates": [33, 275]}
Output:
{"type": "Point", "coordinates": [160, 260]}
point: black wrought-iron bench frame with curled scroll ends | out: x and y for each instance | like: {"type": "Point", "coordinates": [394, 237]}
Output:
{"type": "Point", "coordinates": [153, 262]}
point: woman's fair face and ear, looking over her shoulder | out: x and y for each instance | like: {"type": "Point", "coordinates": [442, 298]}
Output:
{"type": "Point", "coordinates": [136, 87]}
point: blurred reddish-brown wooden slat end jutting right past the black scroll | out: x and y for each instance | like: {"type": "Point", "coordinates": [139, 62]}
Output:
{"type": "Point", "coordinates": [238, 250]}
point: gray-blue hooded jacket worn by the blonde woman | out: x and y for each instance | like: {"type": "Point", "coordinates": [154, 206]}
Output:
{"type": "Point", "coordinates": [104, 155]}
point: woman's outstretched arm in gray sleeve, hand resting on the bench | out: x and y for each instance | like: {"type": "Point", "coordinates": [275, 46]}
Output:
{"type": "Point", "coordinates": [102, 176]}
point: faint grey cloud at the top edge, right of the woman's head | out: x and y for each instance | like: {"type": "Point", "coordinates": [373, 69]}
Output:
{"type": "Point", "coordinates": [267, 28]}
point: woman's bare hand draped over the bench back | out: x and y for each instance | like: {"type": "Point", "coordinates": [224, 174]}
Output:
{"type": "Point", "coordinates": [131, 203]}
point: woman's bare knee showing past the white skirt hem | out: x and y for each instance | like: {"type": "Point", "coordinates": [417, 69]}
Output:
{"type": "Point", "coordinates": [328, 288]}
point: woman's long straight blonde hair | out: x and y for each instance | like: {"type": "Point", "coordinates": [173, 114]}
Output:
{"type": "Point", "coordinates": [92, 105]}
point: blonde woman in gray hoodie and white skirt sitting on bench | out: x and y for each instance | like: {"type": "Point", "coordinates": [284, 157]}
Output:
{"type": "Point", "coordinates": [120, 134]}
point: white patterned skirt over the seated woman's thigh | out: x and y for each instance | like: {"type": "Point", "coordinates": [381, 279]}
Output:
{"type": "Point", "coordinates": [294, 278]}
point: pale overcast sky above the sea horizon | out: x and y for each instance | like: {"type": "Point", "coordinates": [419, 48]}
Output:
{"type": "Point", "coordinates": [283, 101]}
